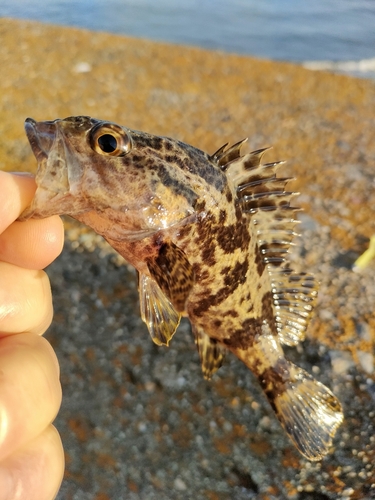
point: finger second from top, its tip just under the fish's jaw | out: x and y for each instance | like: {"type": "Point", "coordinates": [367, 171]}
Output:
{"type": "Point", "coordinates": [33, 244]}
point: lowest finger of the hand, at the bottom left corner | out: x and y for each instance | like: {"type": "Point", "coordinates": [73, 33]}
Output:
{"type": "Point", "coordinates": [34, 471]}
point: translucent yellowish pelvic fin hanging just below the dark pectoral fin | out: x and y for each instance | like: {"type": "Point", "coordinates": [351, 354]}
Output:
{"type": "Point", "coordinates": [157, 311]}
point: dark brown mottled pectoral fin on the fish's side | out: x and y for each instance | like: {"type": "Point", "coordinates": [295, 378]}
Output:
{"type": "Point", "coordinates": [173, 273]}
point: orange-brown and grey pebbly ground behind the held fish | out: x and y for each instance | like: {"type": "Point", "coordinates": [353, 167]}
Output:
{"type": "Point", "coordinates": [138, 421]}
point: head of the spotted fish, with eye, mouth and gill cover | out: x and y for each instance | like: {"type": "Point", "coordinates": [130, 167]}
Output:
{"type": "Point", "coordinates": [112, 178]}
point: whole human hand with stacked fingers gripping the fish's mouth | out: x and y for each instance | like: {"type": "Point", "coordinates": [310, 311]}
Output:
{"type": "Point", "coordinates": [31, 454]}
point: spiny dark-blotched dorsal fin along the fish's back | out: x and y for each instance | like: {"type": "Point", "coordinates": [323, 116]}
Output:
{"type": "Point", "coordinates": [263, 196]}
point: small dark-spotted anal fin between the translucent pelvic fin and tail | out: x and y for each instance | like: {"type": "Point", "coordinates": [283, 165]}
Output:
{"type": "Point", "coordinates": [211, 353]}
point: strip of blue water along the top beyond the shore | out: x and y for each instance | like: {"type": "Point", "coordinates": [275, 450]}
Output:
{"type": "Point", "coordinates": [338, 35]}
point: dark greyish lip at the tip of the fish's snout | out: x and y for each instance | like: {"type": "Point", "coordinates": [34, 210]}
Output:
{"type": "Point", "coordinates": [41, 136]}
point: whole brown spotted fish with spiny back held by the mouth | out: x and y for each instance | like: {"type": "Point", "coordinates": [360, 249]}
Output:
{"type": "Point", "coordinates": [209, 237]}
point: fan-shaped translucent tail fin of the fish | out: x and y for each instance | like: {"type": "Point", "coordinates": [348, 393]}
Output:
{"type": "Point", "coordinates": [308, 411]}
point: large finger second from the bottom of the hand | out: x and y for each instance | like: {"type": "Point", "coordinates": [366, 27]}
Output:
{"type": "Point", "coordinates": [30, 390]}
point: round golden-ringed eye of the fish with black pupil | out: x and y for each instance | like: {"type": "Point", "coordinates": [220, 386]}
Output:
{"type": "Point", "coordinates": [109, 139]}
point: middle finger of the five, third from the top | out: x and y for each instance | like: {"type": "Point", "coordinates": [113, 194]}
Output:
{"type": "Point", "coordinates": [25, 300]}
